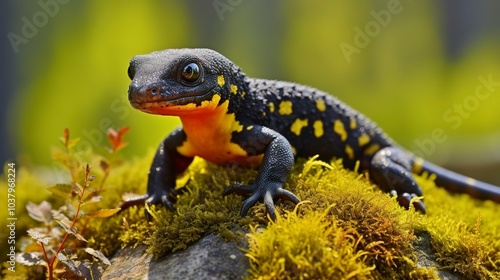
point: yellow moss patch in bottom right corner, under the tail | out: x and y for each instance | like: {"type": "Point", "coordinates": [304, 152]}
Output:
{"type": "Point", "coordinates": [465, 233]}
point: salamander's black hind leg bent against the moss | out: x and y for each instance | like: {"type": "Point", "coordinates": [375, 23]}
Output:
{"type": "Point", "coordinates": [390, 168]}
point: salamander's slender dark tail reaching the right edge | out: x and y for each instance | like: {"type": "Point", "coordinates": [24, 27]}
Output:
{"type": "Point", "coordinates": [458, 183]}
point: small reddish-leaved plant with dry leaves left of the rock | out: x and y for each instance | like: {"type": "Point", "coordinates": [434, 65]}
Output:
{"type": "Point", "coordinates": [51, 247]}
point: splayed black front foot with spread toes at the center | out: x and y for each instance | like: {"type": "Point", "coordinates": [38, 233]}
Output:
{"type": "Point", "coordinates": [267, 194]}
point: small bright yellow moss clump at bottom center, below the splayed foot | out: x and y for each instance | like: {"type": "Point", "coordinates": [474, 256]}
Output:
{"type": "Point", "coordinates": [309, 246]}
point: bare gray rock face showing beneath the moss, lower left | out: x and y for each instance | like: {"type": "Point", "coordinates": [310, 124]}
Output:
{"type": "Point", "coordinates": [209, 258]}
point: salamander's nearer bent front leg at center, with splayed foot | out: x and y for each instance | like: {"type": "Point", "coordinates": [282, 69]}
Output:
{"type": "Point", "coordinates": [275, 168]}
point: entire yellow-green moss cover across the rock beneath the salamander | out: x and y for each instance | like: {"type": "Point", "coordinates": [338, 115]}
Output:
{"type": "Point", "coordinates": [344, 228]}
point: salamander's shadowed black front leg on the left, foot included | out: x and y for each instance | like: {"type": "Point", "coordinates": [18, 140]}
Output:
{"type": "Point", "coordinates": [167, 164]}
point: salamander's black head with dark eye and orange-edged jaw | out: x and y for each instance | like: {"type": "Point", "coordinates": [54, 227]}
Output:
{"type": "Point", "coordinates": [181, 81]}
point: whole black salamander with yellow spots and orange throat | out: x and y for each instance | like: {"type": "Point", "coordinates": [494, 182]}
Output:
{"type": "Point", "coordinates": [229, 118]}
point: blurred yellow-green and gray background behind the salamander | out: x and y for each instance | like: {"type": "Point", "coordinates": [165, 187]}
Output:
{"type": "Point", "coordinates": [411, 66]}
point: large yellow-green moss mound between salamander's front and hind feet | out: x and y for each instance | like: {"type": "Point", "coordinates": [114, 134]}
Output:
{"type": "Point", "coordinates": [369, 228]}
